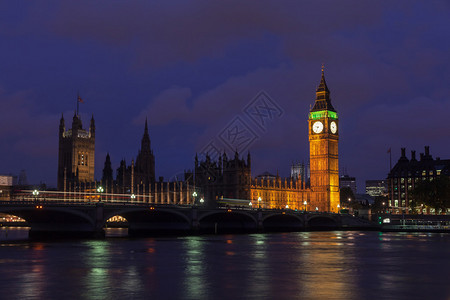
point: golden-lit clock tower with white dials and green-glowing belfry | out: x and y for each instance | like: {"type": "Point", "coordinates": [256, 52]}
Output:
{"type": "Point", "coordinates": [323, 151]}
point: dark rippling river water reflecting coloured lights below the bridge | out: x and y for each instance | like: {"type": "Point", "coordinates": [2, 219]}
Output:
{"type": "Point", "coordinates": [299, 265]}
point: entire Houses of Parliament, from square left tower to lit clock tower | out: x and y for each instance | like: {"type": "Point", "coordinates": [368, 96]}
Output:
{"type": "Point", "coordinates": [212, 182]}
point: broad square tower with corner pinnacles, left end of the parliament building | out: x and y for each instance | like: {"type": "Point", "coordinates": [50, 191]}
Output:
{"type": "Point", "coordinates": [76, 156]}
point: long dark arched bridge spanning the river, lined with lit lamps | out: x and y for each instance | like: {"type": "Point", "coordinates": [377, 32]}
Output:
{"type": "Point", "coordinates": [89, 219]}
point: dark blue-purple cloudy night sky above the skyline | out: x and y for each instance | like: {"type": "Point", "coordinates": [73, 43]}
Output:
{"type": "Point", "coordinates": [191, 68]}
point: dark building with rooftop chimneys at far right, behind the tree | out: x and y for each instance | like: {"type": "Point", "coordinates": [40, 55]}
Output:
{"type": "Point", "coordinates": [407, 173]}
